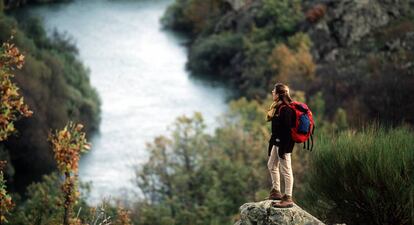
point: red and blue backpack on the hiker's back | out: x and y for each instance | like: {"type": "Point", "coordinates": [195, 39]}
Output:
{"type": "Point", "coordinates": [304, 125]}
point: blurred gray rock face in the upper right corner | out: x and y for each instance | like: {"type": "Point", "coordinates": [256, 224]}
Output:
{"type": "Point", "coordinates": [349, 21]}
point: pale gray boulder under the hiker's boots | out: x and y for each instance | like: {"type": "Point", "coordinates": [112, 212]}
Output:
{"type": "Point", "coordinates": [262, 213]}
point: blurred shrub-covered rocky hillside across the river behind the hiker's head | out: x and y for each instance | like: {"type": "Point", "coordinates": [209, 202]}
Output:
{"type": "Point", "coordinates": [356, 56]}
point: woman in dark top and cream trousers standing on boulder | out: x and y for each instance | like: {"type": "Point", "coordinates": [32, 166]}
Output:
{"type": "Point", "coordinates": [281, 145]}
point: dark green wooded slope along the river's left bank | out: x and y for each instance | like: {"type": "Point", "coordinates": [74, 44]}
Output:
{"type": "Point", "coordinates": [55, 85]}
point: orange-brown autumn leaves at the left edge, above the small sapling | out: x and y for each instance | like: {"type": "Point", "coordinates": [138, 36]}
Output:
{"type": "Point", "coordinates": [12, 106]}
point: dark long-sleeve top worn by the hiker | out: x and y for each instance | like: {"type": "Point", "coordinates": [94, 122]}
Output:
{"type": "Point", "coordinates": [282, 123]}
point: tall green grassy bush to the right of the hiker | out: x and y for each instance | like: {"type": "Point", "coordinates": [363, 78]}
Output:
{"type": "Point", "coordinates": [364, 177]}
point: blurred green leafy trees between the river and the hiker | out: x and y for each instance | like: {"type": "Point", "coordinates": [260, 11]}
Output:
{"type": "Point", "coordinates": [193, 177]}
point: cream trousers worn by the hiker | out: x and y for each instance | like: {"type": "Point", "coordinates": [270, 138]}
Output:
{"type": "Point", "coordinates": [285, 165]}
